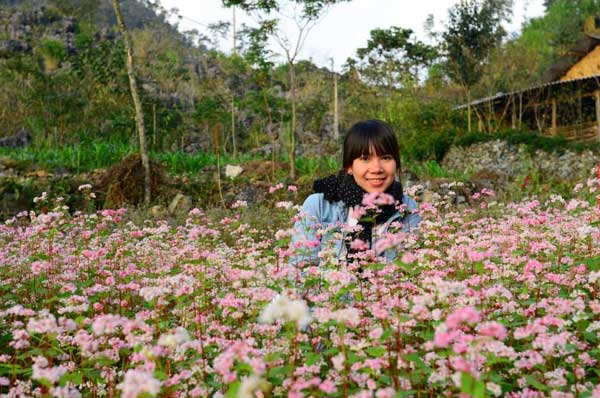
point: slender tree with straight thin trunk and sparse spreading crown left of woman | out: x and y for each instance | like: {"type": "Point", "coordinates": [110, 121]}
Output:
{"type": "Point", "coordinates": [304, 14]}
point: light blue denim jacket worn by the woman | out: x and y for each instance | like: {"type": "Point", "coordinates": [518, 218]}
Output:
{"type": "Point", "coordinates": [323, 218]}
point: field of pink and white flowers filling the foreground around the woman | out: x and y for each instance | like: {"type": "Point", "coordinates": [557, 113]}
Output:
{"type": "Point", "coordinates": [492, 300]}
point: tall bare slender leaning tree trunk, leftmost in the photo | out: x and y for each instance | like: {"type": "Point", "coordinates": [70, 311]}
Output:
{"type": "Point", "coordinates": [139, 114]}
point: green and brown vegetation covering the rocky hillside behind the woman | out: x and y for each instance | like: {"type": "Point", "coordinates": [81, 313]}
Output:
{"type": "Point", "coordinates": [63, 80]}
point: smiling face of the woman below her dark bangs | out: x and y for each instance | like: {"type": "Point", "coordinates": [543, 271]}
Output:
{"type": "Point", "coordinates": [373, 172]}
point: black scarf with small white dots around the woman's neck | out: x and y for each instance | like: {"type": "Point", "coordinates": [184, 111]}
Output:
{"type": "Point", "coordinates": [342, 186]}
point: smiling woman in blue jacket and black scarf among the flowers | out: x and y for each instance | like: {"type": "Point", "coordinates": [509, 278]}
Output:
{"type": "Point", "coordinates": [371, 163]}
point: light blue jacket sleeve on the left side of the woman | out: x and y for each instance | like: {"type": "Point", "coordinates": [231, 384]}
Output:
{"type": "Point", "coordinates": [305, 243]}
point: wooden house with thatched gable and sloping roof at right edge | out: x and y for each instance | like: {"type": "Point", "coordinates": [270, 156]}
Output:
{"type": "Point", "coordinates": [567, 102]}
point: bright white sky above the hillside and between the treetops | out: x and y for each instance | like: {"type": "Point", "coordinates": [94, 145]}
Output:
{"type": "Point", "coordinates": [346, 26]}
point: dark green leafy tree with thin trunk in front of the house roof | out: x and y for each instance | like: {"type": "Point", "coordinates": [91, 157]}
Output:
{"type": "Point", "coordinates": [473, 29]}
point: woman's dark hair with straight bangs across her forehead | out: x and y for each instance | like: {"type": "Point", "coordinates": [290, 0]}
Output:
{"type": "Point", "coordinates": [367, 135]}
